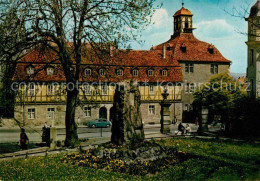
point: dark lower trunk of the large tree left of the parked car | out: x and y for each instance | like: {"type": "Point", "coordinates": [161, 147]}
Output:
{"type": "Point", "coordinates": [71, 127]}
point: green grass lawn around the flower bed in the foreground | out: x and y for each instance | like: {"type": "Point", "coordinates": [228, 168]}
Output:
{"type": "Point", "coordinates": [207, 160]}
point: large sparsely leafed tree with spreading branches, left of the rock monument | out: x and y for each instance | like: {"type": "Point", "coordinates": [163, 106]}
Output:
{"type": "Point", "coordinates": [56, 23]}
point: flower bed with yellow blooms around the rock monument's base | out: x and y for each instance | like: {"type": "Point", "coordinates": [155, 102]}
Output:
{"type": "Point", "coordinates": [141, 159]}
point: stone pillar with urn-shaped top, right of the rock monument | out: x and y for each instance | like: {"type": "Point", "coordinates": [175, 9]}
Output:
{"type": "Point", "coordinates": [165, 113]}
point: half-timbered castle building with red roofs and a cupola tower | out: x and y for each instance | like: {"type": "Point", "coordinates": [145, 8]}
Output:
{"type": "Point", "coordinates": [181, 64]}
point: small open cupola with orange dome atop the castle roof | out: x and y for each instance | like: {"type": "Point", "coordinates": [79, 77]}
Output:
{"type": "Point", "coordinates": [183, 21]}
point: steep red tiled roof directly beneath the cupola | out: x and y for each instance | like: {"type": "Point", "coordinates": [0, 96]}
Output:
{"type": "Point", "coordinates": [196, 50]}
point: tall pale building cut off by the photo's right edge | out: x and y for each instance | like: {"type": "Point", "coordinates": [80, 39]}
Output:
{"type": "Point", "coordinates": [253, 54]}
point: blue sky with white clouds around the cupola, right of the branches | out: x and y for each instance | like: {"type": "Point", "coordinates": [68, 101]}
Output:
{"type": "Point", "coordinates": [214, 25]}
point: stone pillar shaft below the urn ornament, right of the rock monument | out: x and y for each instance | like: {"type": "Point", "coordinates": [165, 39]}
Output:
{"type": "Point", "coordinates": [165, 117]}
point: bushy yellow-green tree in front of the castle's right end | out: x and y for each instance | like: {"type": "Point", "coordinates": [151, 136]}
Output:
{"type": "Point", "coordinates": [221, 94]}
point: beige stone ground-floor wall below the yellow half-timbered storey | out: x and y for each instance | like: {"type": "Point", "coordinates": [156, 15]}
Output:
{"type": "Point", "coordinates": [81, 118]}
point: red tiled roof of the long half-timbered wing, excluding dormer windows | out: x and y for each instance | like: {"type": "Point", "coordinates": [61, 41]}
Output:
{"type": "Point", "coordinates": [126, 60]}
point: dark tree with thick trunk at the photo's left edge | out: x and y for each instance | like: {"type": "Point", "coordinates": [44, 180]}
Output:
{"type": "Point", "coordinates": [12, 38]}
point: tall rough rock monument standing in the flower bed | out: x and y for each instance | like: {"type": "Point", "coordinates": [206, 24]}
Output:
{"type": "Point", "coordinates": [127, 126]}
